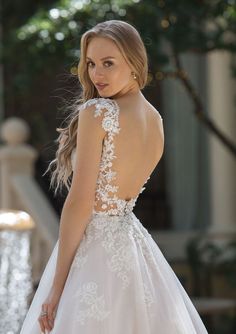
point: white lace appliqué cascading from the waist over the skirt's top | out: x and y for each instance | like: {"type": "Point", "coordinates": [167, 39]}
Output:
{"type": "Point", "coordinates": [115, 234]}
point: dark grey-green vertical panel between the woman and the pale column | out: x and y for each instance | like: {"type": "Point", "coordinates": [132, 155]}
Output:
{"type": "Point", "coordinates": [186, 150]}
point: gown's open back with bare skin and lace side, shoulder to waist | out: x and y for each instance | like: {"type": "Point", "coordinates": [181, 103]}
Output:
{"type": "Point", "coordinates": [129, 155]}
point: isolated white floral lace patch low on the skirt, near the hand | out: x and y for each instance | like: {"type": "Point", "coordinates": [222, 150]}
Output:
{"type": "Point", "coordinates": [87, 295]}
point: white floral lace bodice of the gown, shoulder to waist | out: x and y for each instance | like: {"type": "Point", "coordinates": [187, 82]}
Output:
{"type": "Point", "coordinates": [106, 190]}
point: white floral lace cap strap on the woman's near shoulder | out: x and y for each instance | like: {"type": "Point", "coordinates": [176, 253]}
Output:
{"type": "Point", "coordinates": [110, 110]}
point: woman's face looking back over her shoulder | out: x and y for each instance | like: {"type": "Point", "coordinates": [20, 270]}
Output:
{"type": "Point", "coordinates": [107, 68]}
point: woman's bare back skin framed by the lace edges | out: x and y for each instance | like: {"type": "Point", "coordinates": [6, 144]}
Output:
{"type": "Point", "coordinates": [138, 146]}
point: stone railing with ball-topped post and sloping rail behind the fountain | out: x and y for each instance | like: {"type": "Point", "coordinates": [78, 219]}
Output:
{"type": "Point", "coordinates": [20, 191]}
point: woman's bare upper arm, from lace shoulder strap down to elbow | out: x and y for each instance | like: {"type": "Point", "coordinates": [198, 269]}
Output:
{"type": "Point", "coordinates": [90, 135]}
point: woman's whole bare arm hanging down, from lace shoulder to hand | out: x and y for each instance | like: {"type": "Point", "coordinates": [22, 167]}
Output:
{"type": "Point", "coordinates": [78, 205]}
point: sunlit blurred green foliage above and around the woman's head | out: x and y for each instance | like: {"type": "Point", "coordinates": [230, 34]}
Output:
{"type": "Point", "coordinates": [165, 25]}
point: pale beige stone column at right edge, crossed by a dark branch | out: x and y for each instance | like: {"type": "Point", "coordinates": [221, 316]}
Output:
{"type": "Point", "coordinates": [222, 105]}
